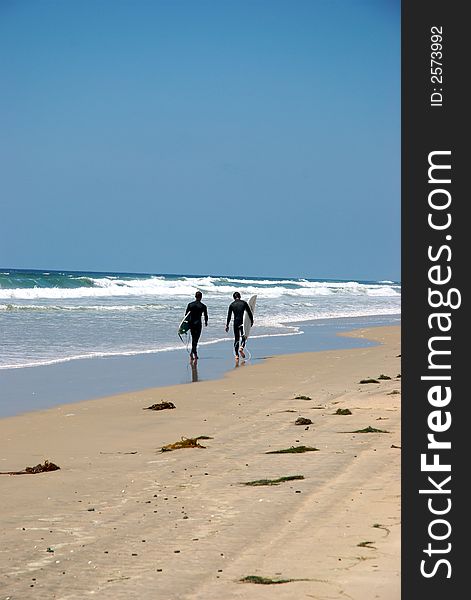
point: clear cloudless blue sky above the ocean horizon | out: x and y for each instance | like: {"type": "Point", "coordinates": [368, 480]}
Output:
{"type": "Point", "coordinates": [214, 137]}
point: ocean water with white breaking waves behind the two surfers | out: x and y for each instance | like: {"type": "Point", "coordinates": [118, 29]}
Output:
{"type": "Point", "coordinates": [49, 317]}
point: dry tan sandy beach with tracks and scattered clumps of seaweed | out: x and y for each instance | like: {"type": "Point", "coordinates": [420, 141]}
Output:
{"type": "Point", "coordinates": [121, 519]}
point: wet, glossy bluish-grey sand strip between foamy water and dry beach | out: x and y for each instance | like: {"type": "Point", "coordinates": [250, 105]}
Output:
{"type": "Point", "coordinates": [34, 388]}
